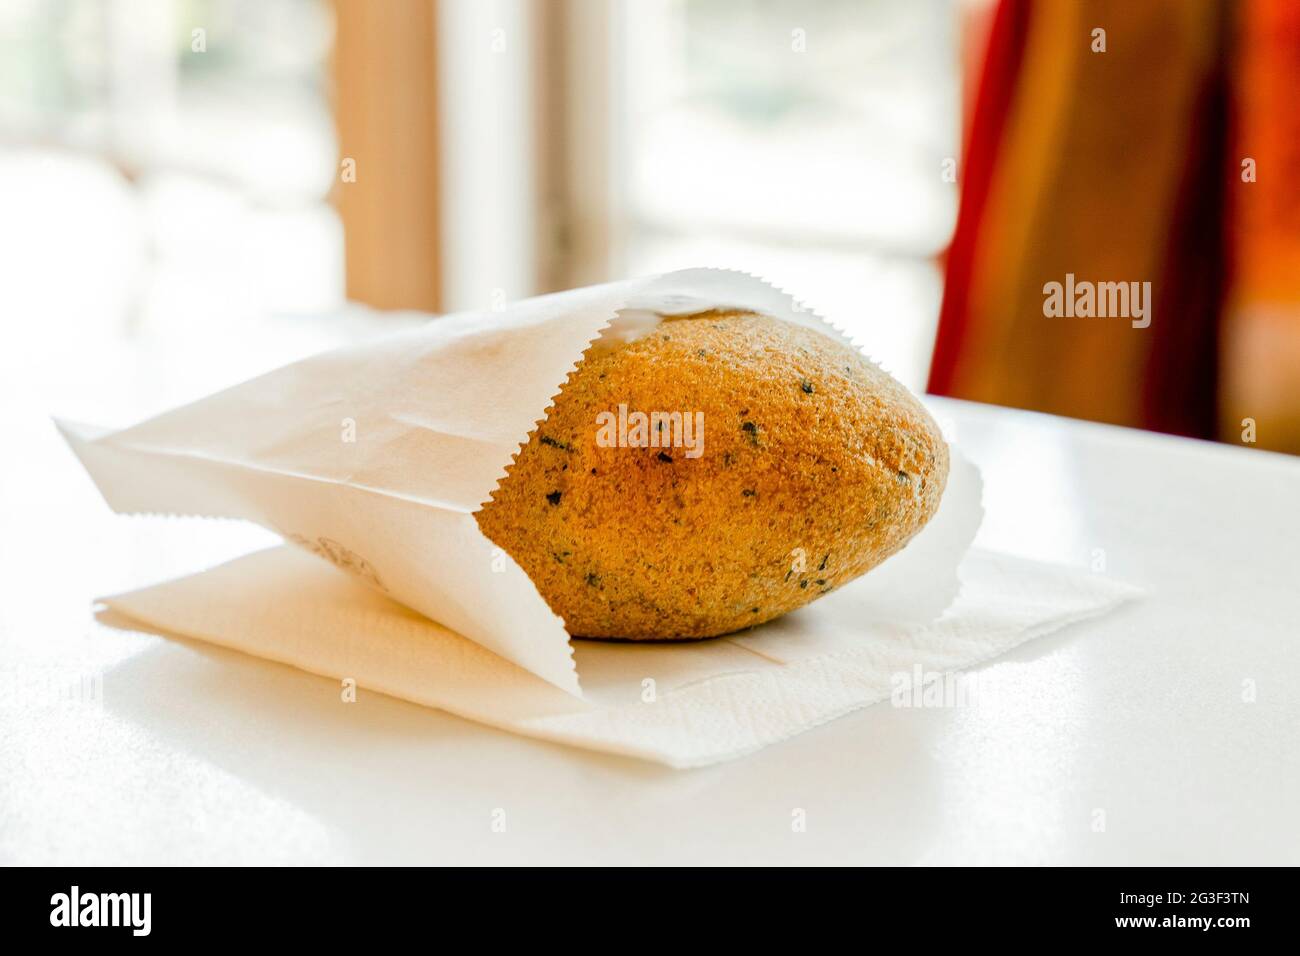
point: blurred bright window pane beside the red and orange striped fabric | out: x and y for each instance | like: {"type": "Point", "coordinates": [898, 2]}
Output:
{"type": "Point", "coordinates": [804, 141]}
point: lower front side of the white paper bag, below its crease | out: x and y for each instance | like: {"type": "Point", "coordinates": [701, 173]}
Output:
{"type": "Point", "coordinates": [432, 560]}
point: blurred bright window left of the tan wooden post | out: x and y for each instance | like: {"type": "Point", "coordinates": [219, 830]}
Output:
{"type": "Point", "coordinates": [175, 157]}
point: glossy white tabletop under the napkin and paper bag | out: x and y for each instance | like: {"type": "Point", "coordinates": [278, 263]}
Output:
{"type": "Point", "coordinates": [198, 755]}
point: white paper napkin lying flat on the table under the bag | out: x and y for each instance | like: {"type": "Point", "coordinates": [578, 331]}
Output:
{"type": "Point", "coordinates": [683, 706]}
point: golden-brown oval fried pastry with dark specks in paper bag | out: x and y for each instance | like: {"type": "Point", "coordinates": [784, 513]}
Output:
{"type": "Point", "coordinates": [817, 466]}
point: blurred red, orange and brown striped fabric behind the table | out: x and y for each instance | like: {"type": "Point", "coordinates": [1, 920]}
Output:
{"type": "Point", "coordinates": [1103, 175]}
